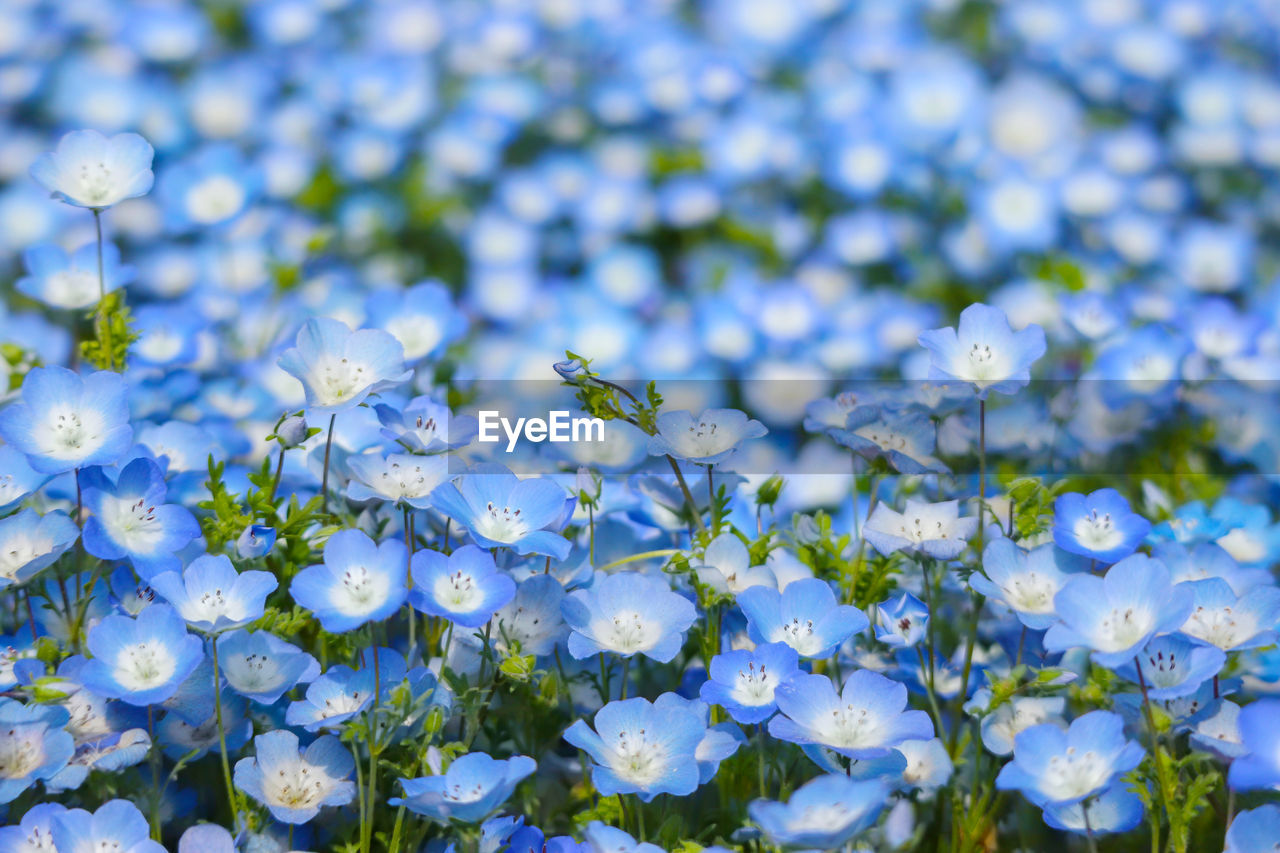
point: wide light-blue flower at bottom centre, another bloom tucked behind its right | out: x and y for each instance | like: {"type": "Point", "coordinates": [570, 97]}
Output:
{"type": "Point", "coordinates": [643, 749]}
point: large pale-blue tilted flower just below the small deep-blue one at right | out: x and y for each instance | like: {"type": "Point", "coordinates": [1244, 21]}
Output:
{"type": "Point", "coordinates": [1119, 614]}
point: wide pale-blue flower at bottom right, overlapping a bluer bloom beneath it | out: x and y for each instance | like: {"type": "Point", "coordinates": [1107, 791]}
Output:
{"type": "Point", "coordinates": [1059, 768]}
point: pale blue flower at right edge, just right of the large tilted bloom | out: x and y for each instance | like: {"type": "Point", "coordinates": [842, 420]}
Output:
{"type": "Point", "coordinates": [1232, 623]}
